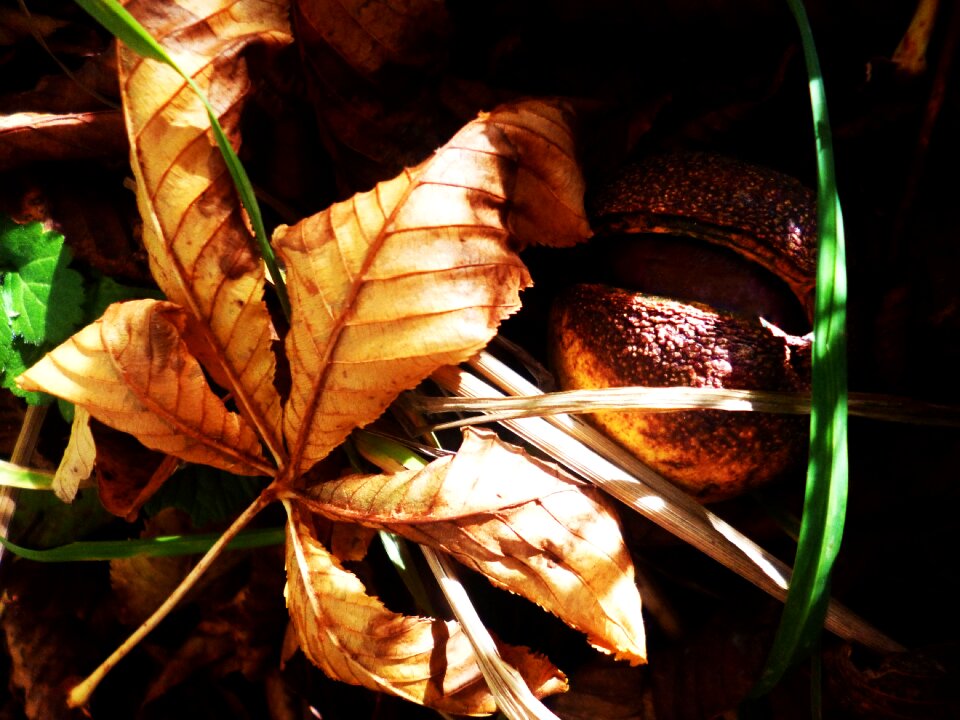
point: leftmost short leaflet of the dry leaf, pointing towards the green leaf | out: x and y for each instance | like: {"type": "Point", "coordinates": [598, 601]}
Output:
{"type": "Point", "coordinates": [132, 371]}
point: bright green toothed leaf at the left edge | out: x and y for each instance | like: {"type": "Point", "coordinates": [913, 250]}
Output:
{"type": "Point", "coordinates": [41, 298]}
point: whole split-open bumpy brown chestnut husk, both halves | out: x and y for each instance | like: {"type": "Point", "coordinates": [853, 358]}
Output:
{"type": "Point", "coordinates": [604, 336]}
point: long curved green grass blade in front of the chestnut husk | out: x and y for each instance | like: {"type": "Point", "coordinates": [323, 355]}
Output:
{"type": "Point", "coordinates": [826, 494]}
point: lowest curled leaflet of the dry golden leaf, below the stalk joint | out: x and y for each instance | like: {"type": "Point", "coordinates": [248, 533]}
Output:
{"type": "Point", "coordinates": [354, 638]}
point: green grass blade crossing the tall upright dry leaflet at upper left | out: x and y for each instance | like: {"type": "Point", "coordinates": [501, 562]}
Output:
{"type": "Point", "coordinates": [125, 27]}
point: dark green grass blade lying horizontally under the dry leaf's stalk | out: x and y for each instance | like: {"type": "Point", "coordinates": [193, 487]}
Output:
{"type": "Point", "coordinates": [166, 546]}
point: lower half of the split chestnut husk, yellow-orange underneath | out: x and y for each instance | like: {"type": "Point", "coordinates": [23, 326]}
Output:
{"type": "Point", "coordinates": [606, 337]}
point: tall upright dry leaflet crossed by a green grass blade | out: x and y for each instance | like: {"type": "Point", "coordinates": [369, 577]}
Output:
{"type": "Point", "coordinates": [201, 252]}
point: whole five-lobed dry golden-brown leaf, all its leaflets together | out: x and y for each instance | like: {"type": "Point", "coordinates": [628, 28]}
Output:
{"type": "Point", "coordinates": [385, 288]}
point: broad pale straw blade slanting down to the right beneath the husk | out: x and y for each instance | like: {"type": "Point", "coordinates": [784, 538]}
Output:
{"type": "Point", "coordinates": [590, 454]}
